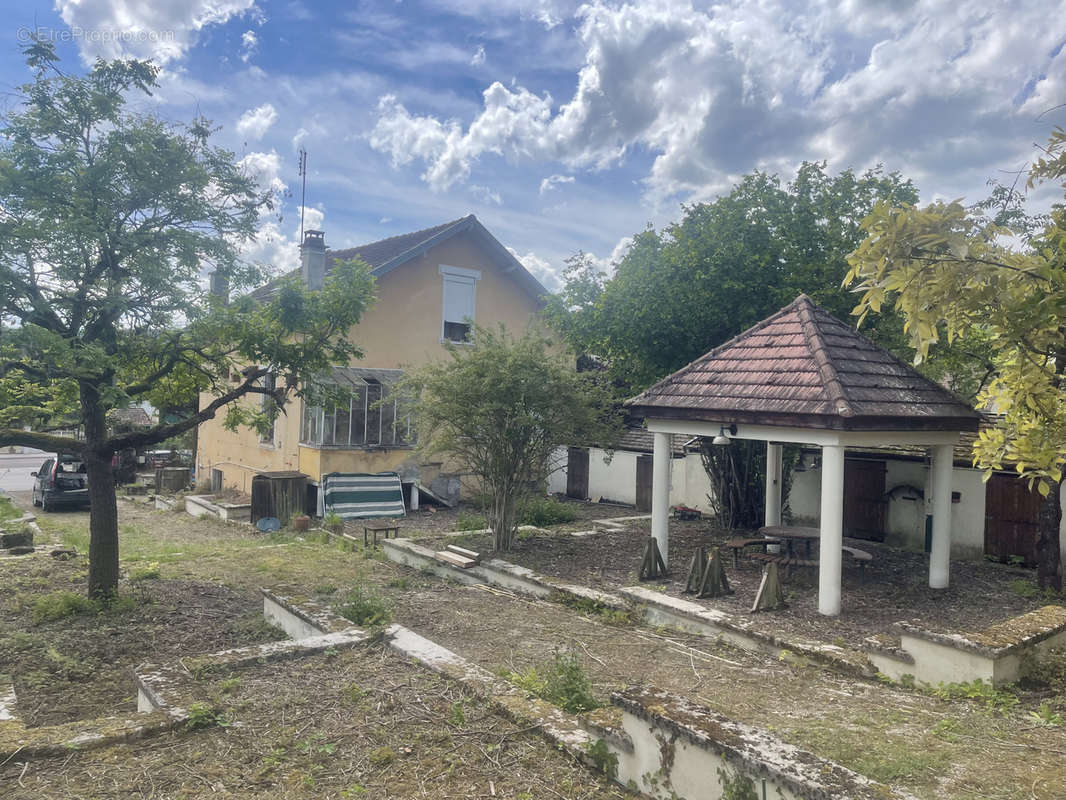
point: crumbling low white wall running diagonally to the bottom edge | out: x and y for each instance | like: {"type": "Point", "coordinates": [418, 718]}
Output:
{"type": "Point", "coordinates": [656, 743]}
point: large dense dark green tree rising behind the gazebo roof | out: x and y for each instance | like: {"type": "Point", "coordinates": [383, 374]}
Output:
{"type": "Point", "coordinates": [681, 292]}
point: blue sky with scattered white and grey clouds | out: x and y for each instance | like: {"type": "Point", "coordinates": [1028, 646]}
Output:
{"type": "Point", "coordinates": [571, 126]}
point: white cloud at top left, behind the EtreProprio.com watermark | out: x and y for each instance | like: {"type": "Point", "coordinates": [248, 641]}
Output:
{"type": "Point", "coordinates": [163, 30]}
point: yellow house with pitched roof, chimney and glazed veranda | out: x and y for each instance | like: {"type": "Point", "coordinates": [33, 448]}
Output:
{"type": "Point", "coordinates": [430, 285]}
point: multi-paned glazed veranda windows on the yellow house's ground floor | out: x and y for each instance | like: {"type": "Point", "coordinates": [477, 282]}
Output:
{"type": "Point", "coordinates": [364, 421]}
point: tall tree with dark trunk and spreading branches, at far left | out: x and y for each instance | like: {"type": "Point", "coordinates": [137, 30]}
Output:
{"type": "Point", "coordinates": [109, 219]}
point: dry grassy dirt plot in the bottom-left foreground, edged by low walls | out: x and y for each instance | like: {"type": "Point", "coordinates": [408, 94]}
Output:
{"type": "Point", "coordinates": [361, 724]}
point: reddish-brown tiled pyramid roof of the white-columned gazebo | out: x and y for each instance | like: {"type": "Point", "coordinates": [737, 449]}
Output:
{"type": "Point", "coordinates": [805, 369]}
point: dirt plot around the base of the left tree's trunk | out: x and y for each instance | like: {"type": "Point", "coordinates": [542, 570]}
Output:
{"type": "Point", "coordinates": [80, 666]}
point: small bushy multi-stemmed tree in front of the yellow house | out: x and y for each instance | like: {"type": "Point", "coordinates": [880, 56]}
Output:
{"type": "Point", "coordinates": [503, 409]}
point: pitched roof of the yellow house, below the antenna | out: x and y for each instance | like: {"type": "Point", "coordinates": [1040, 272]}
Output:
{"type": "Point", "coordinates": [385, 255]}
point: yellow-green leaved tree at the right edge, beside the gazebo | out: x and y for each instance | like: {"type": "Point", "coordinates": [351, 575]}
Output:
{"type": "Point", "coordinates": [988, 273]}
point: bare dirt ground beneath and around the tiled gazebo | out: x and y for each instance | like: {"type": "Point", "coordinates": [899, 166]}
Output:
{"type": "Point", "coordinates": [896, 586]}
